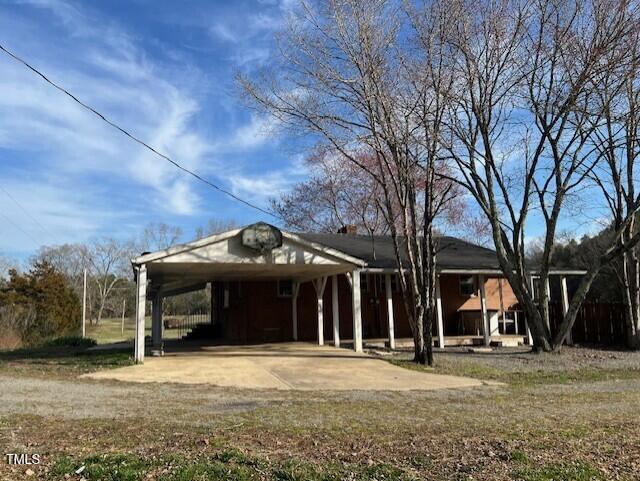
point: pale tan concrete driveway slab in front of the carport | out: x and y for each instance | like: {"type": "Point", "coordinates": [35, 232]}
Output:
{"type": "Point", "coordinates": [284, 366]}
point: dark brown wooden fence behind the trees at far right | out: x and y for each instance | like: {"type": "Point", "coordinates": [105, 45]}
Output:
{"type": "Point", "coordinates": [596, 322]}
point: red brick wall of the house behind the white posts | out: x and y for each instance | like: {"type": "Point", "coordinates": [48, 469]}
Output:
{"type": "Point", "coordinates": [256, 313]}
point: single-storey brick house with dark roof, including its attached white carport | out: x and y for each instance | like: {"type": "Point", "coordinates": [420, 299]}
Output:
{"type": "Point", "coordinates": [269, 285]}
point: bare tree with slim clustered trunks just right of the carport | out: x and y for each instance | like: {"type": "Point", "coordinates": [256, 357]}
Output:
{"type": "Point", "coordinates": [346, 76]}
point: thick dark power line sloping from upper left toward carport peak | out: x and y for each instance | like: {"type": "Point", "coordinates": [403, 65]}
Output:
{"type": "Point", "coordinates": [133, 137]}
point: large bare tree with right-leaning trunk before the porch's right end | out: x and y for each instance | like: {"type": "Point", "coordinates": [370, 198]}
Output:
{"type": "Point", "coordinates": [521, 124]}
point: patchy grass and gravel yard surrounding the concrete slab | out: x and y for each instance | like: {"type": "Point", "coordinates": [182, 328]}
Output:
{"type": "Point", "coordinates": [567, 417]}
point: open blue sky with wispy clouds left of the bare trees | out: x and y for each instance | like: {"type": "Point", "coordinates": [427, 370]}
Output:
{"type": "Point", "coordinates": [164, 70]}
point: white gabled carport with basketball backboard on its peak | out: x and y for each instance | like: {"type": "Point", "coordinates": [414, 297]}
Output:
{"type": "Point", "coordinates": [259, 252]}
